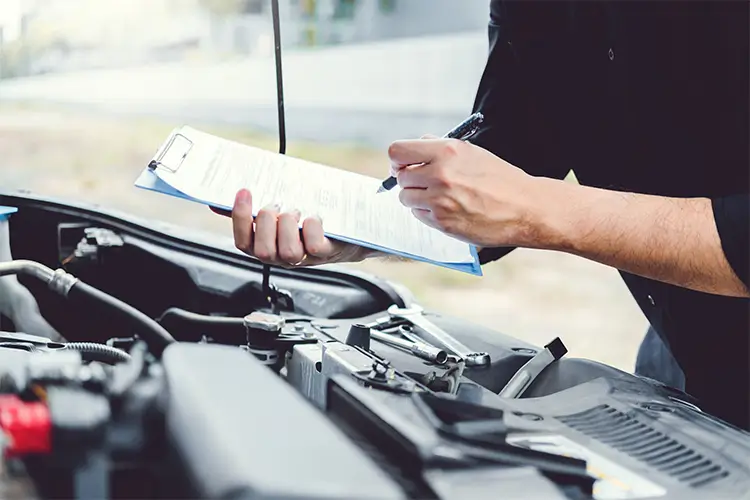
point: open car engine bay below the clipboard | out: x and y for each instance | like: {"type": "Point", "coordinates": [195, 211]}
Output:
{"type": "Point", "coordinates": [146, 361]}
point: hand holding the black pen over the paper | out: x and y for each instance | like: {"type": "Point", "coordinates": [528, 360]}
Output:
{"type": "Point", "coordinates": [469, 193]}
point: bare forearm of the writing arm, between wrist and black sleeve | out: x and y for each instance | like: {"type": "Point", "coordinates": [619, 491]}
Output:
{"type": "Point", "coordinates": [673, 240]}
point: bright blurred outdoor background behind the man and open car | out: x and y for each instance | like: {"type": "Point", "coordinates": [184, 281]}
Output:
{"type": "Point", "coordinates": [90, 88]}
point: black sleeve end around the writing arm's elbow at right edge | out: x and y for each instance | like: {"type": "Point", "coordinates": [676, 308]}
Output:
{"type": "Point", "coordinates": [732, 217]}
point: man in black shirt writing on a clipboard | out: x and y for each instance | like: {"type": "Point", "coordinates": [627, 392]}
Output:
{"type": "Point", "coordinates": [647, 102]}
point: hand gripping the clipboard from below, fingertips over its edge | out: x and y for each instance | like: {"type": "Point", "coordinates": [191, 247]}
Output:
{"type": "Point", "coordinates": [277, 239]}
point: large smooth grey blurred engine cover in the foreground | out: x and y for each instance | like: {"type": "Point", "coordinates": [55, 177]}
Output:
{"type": "Point", "coordinates": [242, 432]}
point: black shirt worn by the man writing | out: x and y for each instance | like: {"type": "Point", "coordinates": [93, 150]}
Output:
{"type": "Point", "coordinates": [645, 97]}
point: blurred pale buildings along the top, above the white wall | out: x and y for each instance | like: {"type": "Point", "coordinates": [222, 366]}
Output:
{"type": "Point", "coordinates": [43, 36]}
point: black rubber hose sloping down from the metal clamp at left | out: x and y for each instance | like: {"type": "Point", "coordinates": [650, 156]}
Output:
{"type": "Point", "coordinates": [155, 336]}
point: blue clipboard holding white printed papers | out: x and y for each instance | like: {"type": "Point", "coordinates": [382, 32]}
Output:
{"type": "Point", "coordinates": [207, 169]}
